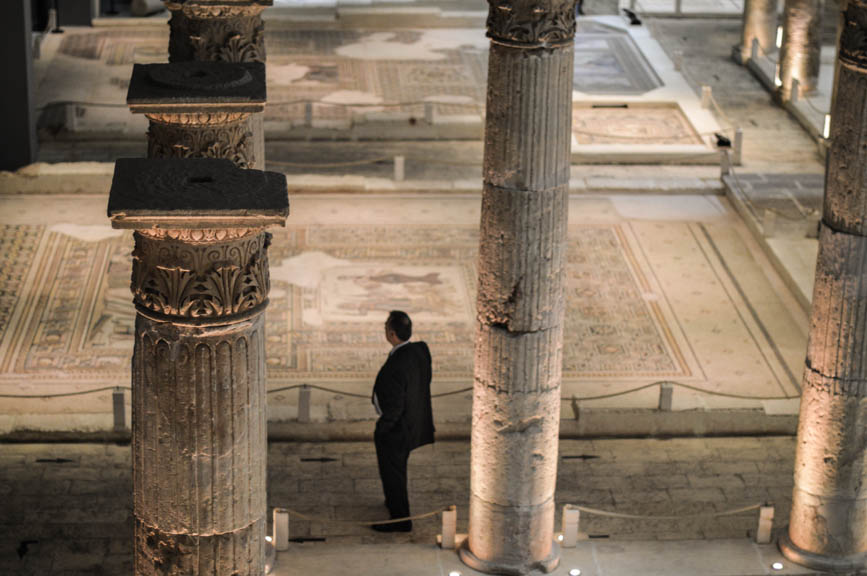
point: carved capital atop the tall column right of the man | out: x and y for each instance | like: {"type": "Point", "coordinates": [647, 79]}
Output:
{"type": "Point", "coordinates": [531, 23]}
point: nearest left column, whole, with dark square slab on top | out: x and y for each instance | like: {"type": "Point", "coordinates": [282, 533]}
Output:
{"type": "Point", "coordinates": [200, 287]}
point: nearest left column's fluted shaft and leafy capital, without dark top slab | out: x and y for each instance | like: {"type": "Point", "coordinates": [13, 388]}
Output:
{"type": "Point", "coordinates": [199, 428]}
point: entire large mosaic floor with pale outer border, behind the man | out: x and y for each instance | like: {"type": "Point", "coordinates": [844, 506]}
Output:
{"type": "Point", "coordinates": [648, 298]}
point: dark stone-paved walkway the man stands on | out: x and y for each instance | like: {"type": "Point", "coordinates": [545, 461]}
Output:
{"type": "Point", "coordinates": [71, 503]}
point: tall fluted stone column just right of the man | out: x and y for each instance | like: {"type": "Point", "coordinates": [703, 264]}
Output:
{"type": "Point", "coordinates": [518, 358]}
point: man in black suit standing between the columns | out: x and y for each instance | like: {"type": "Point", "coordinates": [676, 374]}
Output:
{"type": "Point", "coordinates": [401, 397]}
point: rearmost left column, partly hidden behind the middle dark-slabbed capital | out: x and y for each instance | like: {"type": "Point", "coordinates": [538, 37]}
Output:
{"type": "Point", "coordinates": [220, 30]}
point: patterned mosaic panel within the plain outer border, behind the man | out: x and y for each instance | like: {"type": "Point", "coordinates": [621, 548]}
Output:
{"type": "Point", "coordinates": [331, 289]}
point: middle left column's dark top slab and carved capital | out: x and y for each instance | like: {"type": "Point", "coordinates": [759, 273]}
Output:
{"type": "Point", "coordinates": [200, 109]}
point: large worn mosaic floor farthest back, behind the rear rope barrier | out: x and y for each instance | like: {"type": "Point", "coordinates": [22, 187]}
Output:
{"type": "Point", "coordinates": [349, 74]}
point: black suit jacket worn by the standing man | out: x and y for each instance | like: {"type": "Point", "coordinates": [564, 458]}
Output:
{"type": "Point", "coordinates": [403, 391]}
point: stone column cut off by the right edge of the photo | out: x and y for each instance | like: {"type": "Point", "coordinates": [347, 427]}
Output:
{"type": "Point", "coordinates": [828, 529]}
